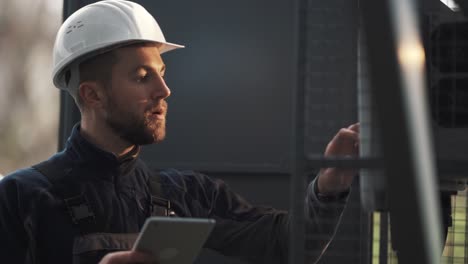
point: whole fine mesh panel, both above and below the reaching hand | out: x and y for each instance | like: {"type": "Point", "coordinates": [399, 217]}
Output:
{"type": "Point", "coordinates": [331, 103]}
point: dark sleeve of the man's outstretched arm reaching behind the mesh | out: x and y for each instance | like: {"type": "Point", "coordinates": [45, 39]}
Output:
{"type": "Point", "coordinates": [259, 234]}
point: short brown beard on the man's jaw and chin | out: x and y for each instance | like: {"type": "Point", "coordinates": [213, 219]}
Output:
{"type": "Point", "coordinates": [135, 128]}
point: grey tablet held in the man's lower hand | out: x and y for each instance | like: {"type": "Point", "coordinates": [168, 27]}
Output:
{"type": "Point", "coordinates": [174, 240]}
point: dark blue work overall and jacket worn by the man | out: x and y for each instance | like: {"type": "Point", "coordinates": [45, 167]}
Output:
{"type": "Point", "coordinates": [92, 203]}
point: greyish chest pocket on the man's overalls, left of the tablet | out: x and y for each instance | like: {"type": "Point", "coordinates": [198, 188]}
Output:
{"type": "Point", "coordinates": [91, 248]}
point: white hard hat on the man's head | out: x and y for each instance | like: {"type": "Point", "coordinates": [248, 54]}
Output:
{"type": "Point", "coordinates": [102, 25]}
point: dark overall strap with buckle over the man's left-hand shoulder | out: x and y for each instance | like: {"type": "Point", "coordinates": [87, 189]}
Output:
{"type": "Point", "coordinates": [56, 171]}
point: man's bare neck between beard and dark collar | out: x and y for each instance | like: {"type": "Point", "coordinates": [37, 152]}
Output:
{"type": "Point", "coordinates": [104, 138]}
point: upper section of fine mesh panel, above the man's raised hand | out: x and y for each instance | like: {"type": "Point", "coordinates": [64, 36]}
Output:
{"type": "Point", "coordinates": [331, 65]}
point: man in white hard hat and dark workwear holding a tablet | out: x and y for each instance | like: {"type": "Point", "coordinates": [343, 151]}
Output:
{"type": "Point", "coordinates": [92, 198]}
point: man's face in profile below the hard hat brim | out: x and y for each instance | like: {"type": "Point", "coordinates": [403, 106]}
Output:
{"type": "Point", "coordinates": [135, 108]}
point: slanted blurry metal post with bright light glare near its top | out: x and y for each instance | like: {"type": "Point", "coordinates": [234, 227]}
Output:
{"type": "Point", "coordinates": [396, 65]}
